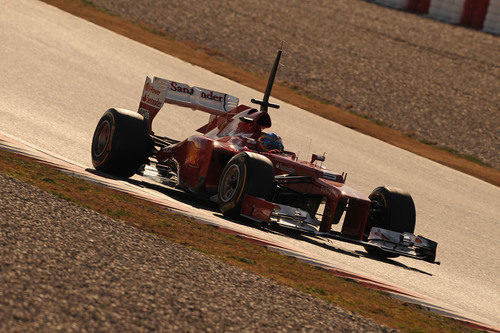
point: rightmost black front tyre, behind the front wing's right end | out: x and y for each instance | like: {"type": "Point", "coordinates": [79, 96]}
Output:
{"type": "Point", "coordinates": [390, 209]}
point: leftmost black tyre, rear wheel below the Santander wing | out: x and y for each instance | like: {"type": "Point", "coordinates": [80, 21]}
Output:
{"type": "Point", "coordinates": [120, 143]}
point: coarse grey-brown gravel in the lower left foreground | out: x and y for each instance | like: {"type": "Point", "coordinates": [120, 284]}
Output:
{"type": "Point", "coordinates": [66, 268]}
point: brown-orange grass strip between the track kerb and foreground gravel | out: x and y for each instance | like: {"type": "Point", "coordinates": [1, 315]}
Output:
{"type": "Point", "coordinates": [228, 248]}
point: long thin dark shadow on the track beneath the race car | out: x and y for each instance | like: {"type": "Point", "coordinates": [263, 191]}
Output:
{"type": "Point", "coordinates": [205, 204]}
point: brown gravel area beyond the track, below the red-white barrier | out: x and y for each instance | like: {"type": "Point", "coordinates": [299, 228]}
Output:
{"type": "Point", "coordinates": [431, 80]}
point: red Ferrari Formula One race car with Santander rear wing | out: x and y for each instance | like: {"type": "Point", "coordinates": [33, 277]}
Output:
{"type": "Point", "coordinates": [250, 175]}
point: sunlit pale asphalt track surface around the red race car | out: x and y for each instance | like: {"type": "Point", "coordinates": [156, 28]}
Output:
{"type": "Point", "coordinates": [60, 73]}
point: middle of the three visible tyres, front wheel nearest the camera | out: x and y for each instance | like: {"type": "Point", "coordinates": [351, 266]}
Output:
{"type": "Point", "coordinates": [246, 173]}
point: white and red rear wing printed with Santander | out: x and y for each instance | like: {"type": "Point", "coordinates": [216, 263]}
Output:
{"type": "Point", "coordinates": [160, 91]}
